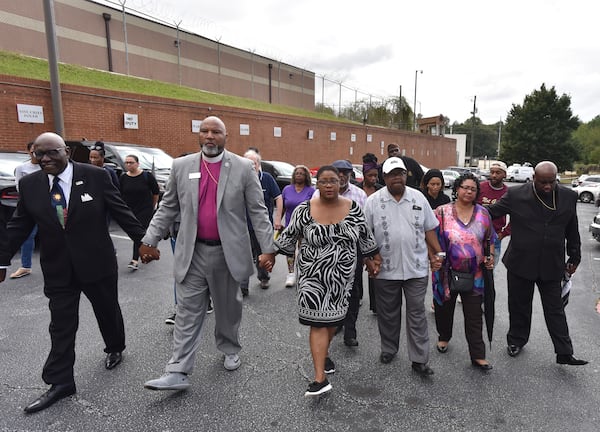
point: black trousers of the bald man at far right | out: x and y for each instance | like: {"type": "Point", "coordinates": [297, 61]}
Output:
{"type": "Point", "coordinates": [520, 298]}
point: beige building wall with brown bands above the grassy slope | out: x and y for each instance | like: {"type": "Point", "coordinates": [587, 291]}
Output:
{"type": "Point", "coordinates": [153, 50]}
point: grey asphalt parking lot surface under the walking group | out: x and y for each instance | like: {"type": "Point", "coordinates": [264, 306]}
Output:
{"type": "Point", "coordinates": [527, 393]}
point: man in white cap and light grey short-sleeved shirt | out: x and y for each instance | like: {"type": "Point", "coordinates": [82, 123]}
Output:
{"type": "Point", "coordinates": [404, 227]}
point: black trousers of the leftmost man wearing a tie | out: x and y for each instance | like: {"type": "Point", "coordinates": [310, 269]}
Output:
{"type": "Point", "coordinates": [64, 321]}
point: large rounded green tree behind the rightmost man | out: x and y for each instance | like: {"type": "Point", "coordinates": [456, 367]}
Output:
{"type": "Point", "coordinates": [541, 129]}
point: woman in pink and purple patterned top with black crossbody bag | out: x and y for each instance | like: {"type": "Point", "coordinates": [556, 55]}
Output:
{"type": "Point", "coordinates": [465, 227]}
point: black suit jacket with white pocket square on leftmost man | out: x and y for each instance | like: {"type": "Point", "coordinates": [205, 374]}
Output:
{"type": "Point", "coordinates": [83, 248]}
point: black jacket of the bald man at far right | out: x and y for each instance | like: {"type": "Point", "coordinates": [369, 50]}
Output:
{"type": "Point", "coordinates": [537, 243]}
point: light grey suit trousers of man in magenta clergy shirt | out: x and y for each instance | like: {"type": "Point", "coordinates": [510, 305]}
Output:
{"type": "Point", "coordinates": [208, 276]}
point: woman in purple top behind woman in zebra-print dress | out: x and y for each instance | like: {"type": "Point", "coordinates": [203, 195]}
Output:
{"type": "Point", "coordinates": [298, 191]}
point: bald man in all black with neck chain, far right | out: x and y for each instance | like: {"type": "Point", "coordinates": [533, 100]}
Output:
{"type": "Point", "coordinates": [543, 216]}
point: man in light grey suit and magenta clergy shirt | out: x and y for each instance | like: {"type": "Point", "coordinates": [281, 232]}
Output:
{"type": "Point", "coordinates": [211, 192]}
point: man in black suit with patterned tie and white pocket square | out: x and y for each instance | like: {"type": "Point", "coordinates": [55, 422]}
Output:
{"type": "Point", "coordinates": [76, 254]}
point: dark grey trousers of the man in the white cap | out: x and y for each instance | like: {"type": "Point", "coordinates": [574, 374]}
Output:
{"type": "Point", "coordinates": [388, 298]}
